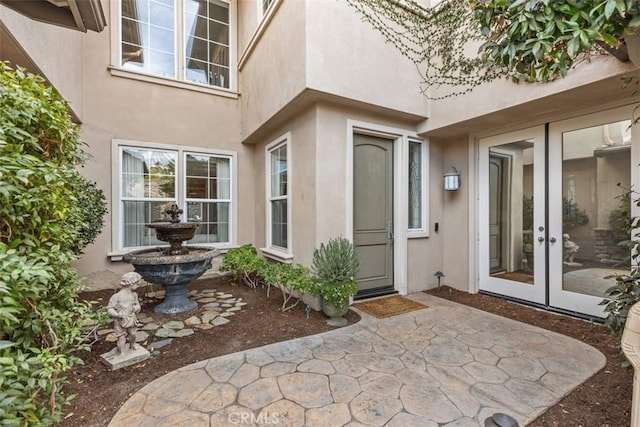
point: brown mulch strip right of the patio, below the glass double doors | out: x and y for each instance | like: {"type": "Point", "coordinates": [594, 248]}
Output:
{"type": "Point", "coordinates": [602, 401]}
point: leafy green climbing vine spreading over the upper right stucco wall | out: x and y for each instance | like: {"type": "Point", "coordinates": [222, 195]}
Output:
{"type": "Point", "coordinates": [525, 40]}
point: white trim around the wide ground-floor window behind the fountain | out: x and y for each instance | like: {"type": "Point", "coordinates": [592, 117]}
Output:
{"type": "Point", "coordinates": [116, 184]}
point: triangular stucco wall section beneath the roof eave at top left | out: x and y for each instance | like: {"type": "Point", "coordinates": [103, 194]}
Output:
{"type": "Point", "coordinates": [64, 69]}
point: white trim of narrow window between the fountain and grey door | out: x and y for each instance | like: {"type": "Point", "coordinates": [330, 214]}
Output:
{"type": "Point", "coordinates": [274, 252]}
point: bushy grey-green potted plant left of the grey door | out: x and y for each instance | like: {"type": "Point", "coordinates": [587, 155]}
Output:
{"type": "Point", "coordinates": [335, 265]}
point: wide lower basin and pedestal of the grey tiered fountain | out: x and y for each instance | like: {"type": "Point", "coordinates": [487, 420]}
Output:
{"type": "Point", "coordinates": [173, 272]}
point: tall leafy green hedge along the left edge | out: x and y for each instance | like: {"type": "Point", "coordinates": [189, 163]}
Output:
{"type": "Point", "coordinates": [48, 213]}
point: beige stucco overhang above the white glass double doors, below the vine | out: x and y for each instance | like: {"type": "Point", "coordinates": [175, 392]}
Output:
{"type": "Point", "coordinates": [487, 108]}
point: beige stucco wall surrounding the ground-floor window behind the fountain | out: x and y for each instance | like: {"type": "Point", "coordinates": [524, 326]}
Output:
{"type": "Point", "coordinates": [124, 108]}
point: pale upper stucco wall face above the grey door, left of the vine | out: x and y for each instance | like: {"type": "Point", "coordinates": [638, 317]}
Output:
{"type": "Point", "coordinates": [348, 58]}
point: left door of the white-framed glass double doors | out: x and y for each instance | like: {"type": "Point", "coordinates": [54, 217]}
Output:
{"type": "Point", "coordinates": [511, 216]}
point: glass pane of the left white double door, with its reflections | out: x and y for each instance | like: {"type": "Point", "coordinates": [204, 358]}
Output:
{"type": "Point", "coordinates": [511, 211]}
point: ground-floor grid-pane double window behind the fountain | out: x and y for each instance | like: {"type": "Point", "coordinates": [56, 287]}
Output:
{"type": "Point", "coordinates": [152, 177]}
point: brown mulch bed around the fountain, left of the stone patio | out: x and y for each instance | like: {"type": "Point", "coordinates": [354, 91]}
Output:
{"type": "Point", "coordinates": [101, 392]}
